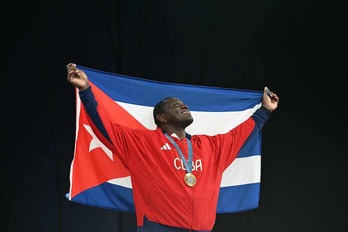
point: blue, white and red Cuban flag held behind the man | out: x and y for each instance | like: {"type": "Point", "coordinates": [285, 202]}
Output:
{"type": "Point", "coordinates": [98, 178]}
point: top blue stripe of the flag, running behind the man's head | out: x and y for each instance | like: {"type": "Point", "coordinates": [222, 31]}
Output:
{"type": "Point", "coordinates": [146, 92]}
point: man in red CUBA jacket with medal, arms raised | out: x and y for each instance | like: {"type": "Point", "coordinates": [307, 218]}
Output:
{"type": "Point", "coordinates": [168, 198]}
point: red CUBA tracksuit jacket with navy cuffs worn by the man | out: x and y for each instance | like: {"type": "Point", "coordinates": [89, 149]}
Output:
{"type": "Point", "coordinates": [157, 173]}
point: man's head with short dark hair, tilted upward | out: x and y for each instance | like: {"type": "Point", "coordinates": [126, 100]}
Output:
{"type": "Point", "coordinates": [172, 111]}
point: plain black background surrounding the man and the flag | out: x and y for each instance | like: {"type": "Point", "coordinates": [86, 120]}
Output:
{"type": "Point", "coordinates": [298, 48]}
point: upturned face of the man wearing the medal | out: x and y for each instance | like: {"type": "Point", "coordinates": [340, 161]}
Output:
{"type": "Point", "coordinates": [177, 113]}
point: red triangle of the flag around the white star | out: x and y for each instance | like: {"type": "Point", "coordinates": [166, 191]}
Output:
{"type": "Point", "coordinates": [92, 167]}
